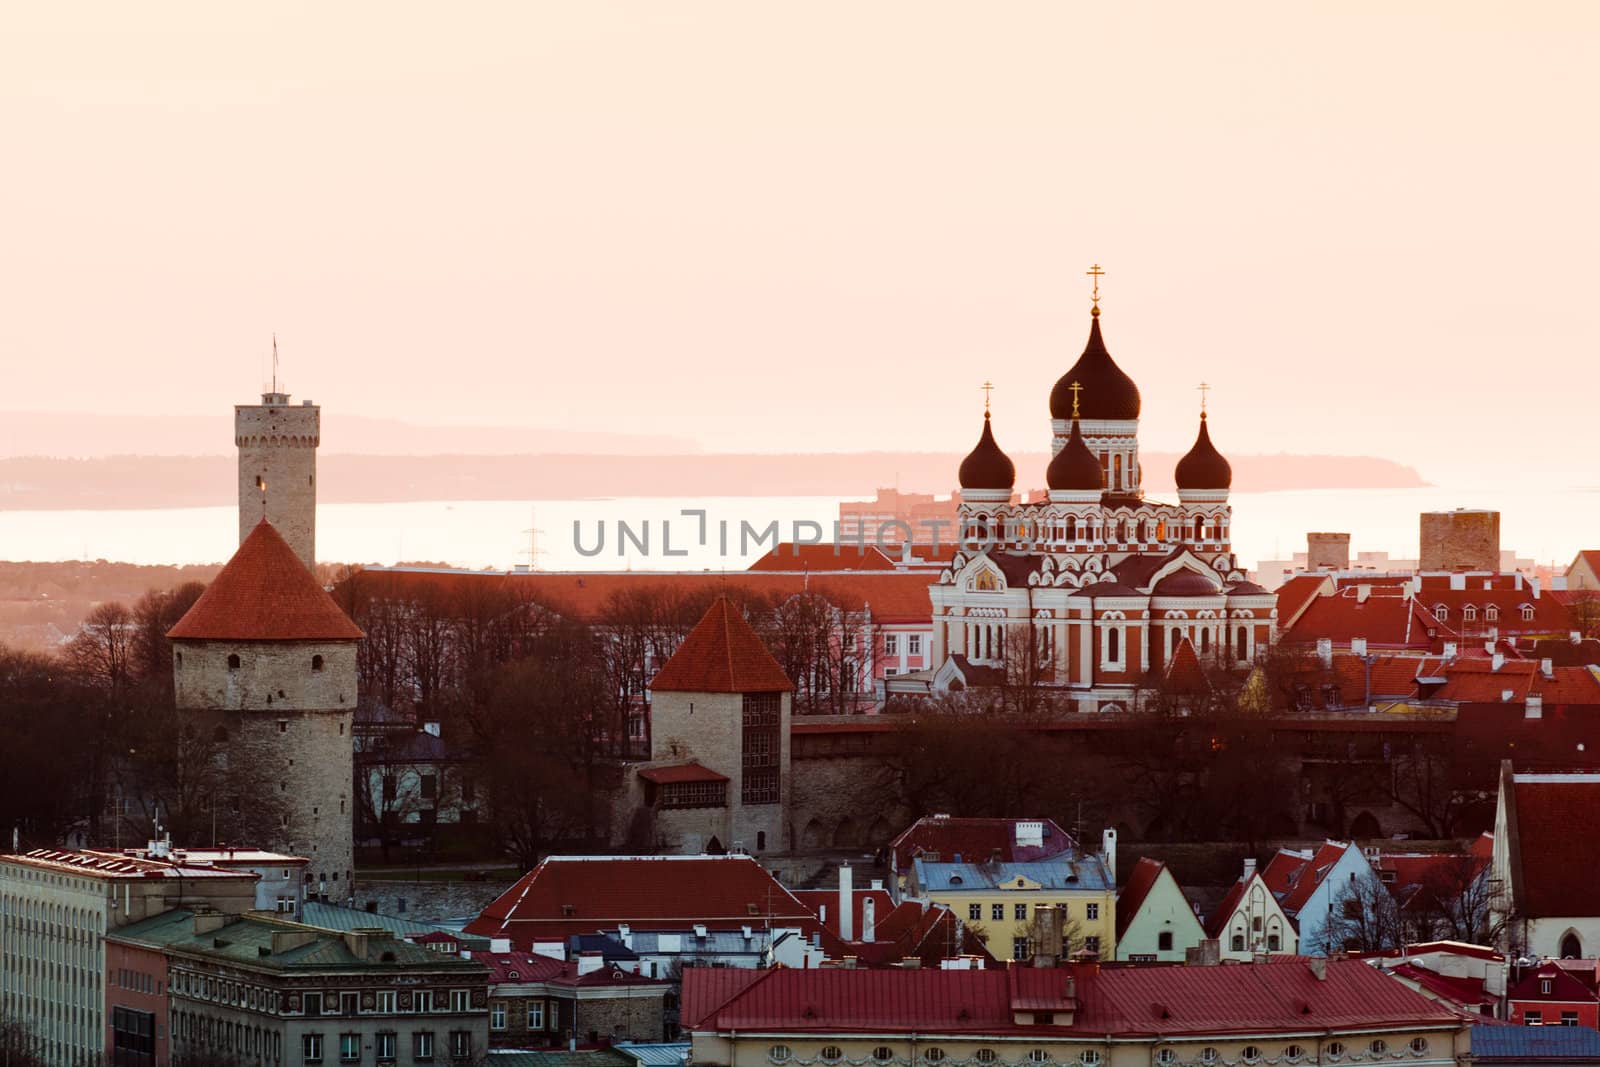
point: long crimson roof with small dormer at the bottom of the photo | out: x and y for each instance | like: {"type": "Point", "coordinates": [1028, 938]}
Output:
{"type": "Point", "coordinates": [1247, 999]}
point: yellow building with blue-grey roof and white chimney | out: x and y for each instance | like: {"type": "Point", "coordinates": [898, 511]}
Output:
{"type": "Point", "coordinates": [1002, 900]}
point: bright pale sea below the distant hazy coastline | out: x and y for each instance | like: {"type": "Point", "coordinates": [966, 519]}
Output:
{"type": "Point", "coordinates": [1545, 522]}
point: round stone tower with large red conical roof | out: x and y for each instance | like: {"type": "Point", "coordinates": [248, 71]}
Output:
{"type": "Point", "coordinates": [265, 661]}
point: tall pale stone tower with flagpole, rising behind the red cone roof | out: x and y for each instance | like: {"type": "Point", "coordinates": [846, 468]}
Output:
{"type": "Point", "coordinates": [278, 470]}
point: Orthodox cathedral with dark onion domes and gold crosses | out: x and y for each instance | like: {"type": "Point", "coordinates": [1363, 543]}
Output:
{"type": "Point", "coordinates": [1095, 589]}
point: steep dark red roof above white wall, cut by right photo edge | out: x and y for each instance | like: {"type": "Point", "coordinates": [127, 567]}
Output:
{"type": "Point", "coordinates": [1556, 865]}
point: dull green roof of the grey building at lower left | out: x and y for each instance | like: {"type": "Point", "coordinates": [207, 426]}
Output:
{"type": "Point", "coordinates": [247, 940]}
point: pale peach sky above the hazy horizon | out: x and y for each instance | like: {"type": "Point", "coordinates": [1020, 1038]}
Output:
{"type": "Point", "coordinates": [822, 226]}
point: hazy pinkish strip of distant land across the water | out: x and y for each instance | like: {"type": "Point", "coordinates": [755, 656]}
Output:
{"type": "Point", "coordinates": [135, 482]}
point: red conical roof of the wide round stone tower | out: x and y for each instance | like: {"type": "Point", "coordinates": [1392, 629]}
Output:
{"type": "Point", "coordinates": [265, 594]}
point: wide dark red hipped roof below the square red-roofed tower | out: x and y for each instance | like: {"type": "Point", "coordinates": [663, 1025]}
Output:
{"type": "Point", "coordinates": [578, 895]}
